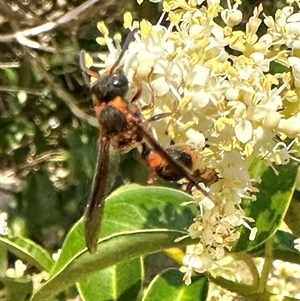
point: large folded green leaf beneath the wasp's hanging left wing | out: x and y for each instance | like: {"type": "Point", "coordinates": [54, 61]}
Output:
{"type": "Point", "coordinates": [137, 220]}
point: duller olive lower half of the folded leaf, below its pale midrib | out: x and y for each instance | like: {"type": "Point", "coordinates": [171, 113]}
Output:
{"type": "Point", "coordinates": [112, 250]}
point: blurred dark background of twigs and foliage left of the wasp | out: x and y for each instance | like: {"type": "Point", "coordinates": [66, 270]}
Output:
{"type": "Point", "coordinates": [47, 146]}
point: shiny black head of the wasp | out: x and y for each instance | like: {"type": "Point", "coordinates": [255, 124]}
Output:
{"type": "Point", "coordinates": [111, 85]}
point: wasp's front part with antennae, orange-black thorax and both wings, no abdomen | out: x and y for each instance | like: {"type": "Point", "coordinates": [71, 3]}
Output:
{"type": "Point", "coordinates": [122, 127]}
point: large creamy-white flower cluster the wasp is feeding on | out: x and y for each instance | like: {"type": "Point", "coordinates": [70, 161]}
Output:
{"type": "Point", "coordinates": [217, 81]}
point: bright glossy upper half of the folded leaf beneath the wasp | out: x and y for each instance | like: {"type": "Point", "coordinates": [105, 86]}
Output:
{"type": "Point", "coordinates": [130, 208]}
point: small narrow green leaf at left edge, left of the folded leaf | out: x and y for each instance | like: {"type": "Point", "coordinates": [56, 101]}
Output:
{"type": "Point", "coordinates": [28, 251]}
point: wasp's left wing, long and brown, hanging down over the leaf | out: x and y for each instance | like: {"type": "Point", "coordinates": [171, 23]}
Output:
{"type": "Point", "coordinates": [104, 177]}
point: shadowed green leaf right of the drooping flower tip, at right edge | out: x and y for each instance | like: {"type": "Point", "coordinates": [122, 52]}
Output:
{"type": "Point", "coordinates": [273, 199]}
